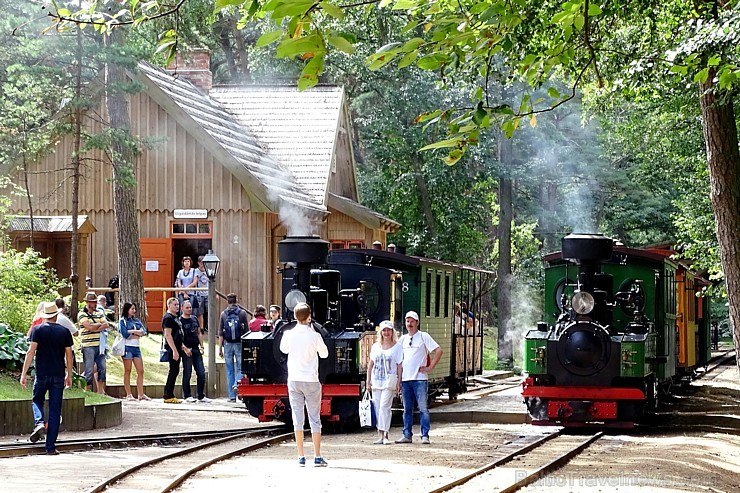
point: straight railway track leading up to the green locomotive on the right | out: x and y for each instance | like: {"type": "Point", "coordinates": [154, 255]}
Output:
{"type": "Point", "coordinates": [524, 462]}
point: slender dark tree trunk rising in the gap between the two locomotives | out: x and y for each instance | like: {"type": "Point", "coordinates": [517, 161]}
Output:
{"type": "Point", "coordinates": [505, 278]}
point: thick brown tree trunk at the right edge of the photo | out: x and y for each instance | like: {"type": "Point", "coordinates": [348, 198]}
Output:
{"type": "Point", "coordinates": [723, 158]}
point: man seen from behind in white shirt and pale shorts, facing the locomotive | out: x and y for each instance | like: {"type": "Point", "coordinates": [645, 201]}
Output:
{"type": "Point", "coordinates": [304, 346]}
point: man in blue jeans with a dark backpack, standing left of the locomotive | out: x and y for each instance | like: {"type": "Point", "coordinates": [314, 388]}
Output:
{"type": "Point", "coordinates": [233, 326]}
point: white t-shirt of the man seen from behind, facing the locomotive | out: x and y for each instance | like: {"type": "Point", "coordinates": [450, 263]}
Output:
{"type": "Point", "coordinates": [304, 346]}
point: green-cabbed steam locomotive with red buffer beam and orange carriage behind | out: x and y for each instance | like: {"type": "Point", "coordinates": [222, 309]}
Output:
{"type": "Point", "coordinates": [623, 324]}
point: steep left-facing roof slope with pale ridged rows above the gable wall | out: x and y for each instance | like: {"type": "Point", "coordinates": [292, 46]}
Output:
{"type": "Point", "coordinates": [263, 176]}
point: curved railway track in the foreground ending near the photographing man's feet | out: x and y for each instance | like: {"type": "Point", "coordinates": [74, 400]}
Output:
{"type": "Point", "coordinates": [166, 472]}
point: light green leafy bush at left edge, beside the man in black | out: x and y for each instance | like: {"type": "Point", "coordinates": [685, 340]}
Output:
{"type": "Point", "coordinates": [24, 282]}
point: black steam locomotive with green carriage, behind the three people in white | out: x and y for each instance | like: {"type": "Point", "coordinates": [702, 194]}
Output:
{"type": "Point", "coordinates": [350, 292]}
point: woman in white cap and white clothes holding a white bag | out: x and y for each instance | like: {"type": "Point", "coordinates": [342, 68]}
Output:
{"type": "Point", "coordinates": [383, 376]}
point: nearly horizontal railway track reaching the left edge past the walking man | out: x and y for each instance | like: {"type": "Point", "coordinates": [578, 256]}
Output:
{"type": "Point", "coordinates": [17, 450]}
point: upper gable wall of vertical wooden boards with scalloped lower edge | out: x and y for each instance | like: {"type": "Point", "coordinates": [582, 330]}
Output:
{"type": "Point", "coordinates": [177, 174]}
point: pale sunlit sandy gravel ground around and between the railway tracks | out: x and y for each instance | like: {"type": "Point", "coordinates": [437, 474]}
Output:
{"type": "Point", "coordinates": [643, 462]}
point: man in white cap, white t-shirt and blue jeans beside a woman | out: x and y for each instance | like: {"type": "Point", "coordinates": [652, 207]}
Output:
{"type": "Point", "coordinates": [421, 354]}
